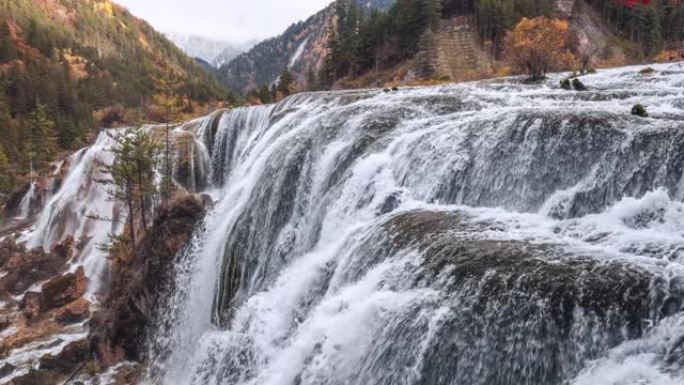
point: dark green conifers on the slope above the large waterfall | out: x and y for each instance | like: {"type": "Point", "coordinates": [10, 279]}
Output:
{"type": "Point", "coordinates": [360, 40]}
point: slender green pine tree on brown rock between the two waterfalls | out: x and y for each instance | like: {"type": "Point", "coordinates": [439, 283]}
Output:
{"type": "Point", "coordinates": [130, 177]}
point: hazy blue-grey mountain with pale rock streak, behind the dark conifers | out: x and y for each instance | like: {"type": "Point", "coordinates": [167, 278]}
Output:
{"type": "Point", "coordinates": [301, 48]}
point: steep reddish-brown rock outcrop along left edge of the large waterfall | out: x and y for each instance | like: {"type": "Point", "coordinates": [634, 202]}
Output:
{"type": "Point", "coordinates": [118, 330]}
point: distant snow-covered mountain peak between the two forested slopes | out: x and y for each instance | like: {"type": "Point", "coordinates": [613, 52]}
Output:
{"type": "Point", "coordinates": [215, 52]}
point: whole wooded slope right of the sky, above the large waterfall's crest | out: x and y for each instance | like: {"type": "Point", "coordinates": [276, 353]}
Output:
{"type": "Point", "coordinates": [349, 46]}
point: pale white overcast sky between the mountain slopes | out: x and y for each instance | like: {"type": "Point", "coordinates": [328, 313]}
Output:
{"type": "Point", "coordinates": [230, 20]}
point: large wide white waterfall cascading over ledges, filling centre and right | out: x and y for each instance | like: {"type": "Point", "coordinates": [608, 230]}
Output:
{"type": "Point", "coordinates": [483, 233]}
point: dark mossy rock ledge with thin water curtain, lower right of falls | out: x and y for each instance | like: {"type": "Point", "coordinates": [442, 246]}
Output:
{"type": "Point", "coordinates": [514, 302]}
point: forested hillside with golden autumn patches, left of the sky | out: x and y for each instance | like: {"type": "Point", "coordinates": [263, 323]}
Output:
{"type": "Point", "coordinates": [61, 61]}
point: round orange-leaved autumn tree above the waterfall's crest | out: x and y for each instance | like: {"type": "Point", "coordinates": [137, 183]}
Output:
{"type": "Point", "coordinates": [536, 46]}
